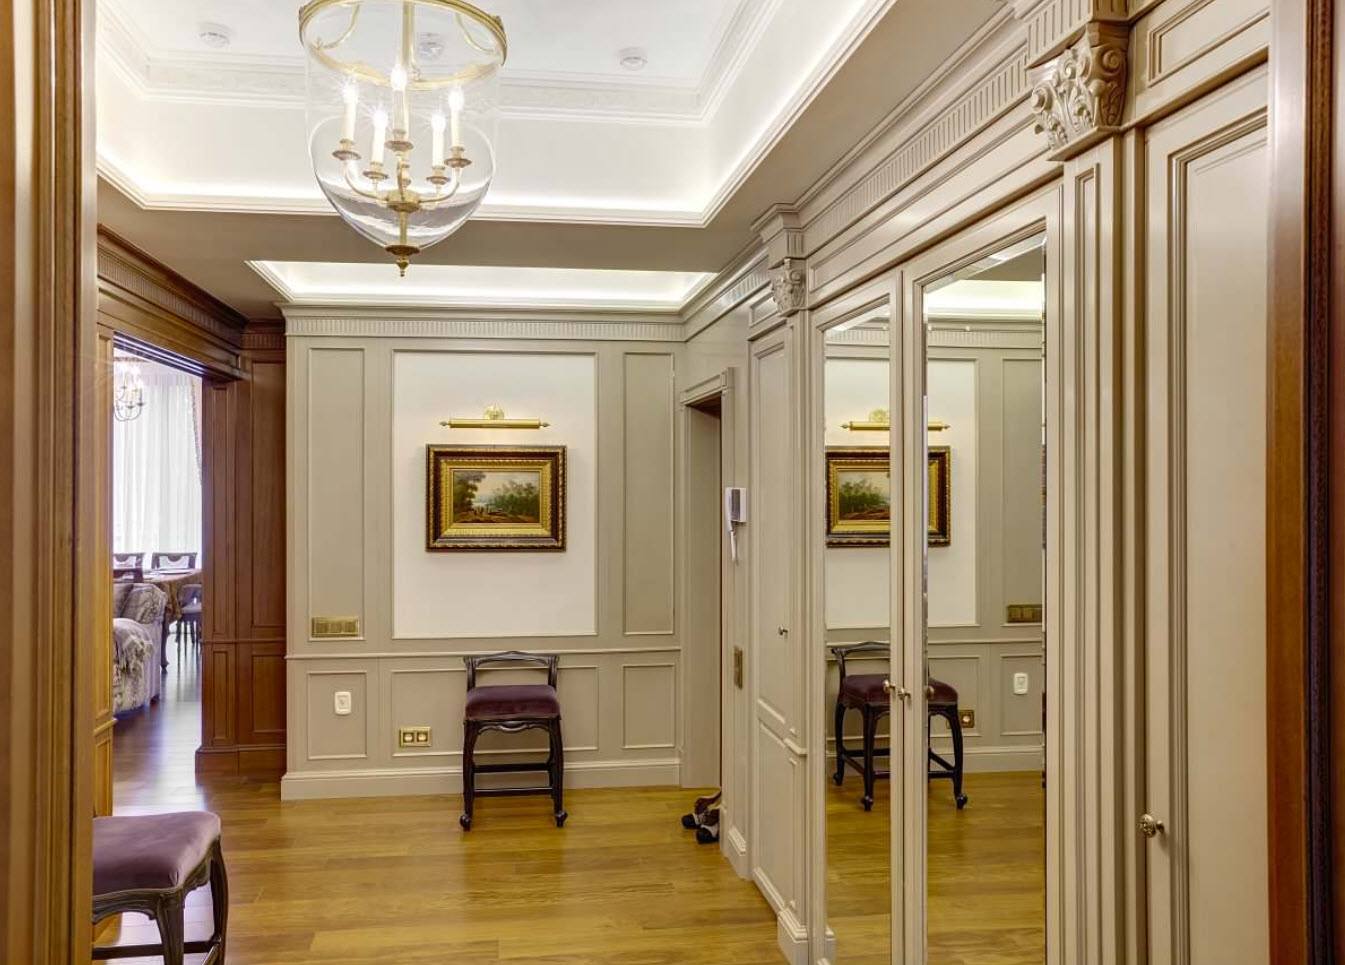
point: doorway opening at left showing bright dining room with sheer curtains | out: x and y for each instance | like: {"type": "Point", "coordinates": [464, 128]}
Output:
{"type": "Point", "coordinates": [158, 566]}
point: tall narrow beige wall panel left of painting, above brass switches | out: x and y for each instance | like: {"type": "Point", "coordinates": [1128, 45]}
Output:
{"type": "Point", "coordinates": [336, 493]}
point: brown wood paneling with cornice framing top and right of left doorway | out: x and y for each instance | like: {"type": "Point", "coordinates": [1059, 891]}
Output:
{"type": "Point", "coordinates": [243, 493]}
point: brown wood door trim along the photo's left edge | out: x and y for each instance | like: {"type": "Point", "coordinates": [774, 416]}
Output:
{"type": "Point", "coordinates": [48, 190]}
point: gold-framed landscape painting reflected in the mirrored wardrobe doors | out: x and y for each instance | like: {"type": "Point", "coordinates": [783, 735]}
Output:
{"type": "Point", "coordinates": [860, 497]}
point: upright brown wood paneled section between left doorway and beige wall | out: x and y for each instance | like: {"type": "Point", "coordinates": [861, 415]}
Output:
{"type": "Point", "coordinates": [244, 470]}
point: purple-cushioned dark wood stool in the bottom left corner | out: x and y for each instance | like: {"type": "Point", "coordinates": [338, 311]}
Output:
{"type": "Point", "coordinates": [149, 865]}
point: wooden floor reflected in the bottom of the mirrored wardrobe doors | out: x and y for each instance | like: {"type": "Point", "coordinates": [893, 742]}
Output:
{"type": "Point", "coordinates": [988, 873]}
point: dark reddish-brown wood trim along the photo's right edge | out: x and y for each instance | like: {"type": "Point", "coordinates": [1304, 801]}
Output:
{"type": "Point", "coordinates": [1304, 72]}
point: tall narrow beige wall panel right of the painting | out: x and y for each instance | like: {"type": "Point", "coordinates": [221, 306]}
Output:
{"type": "Point", "coordinates": [649, 493]}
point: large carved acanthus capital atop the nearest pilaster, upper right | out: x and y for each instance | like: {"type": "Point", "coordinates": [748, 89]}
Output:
{"type": "Point", "coordinates": [1079, 98]}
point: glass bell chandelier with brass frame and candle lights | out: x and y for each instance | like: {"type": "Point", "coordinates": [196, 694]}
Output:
{"type": "Point", "coordinates": [403, 102]}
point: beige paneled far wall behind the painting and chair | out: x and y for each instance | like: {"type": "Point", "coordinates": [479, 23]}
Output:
{"type": "Point", "coordinates": [362, 410]}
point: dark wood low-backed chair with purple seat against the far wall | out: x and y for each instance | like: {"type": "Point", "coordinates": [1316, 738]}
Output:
{"type": "Point", "coordinates": [513, 709]}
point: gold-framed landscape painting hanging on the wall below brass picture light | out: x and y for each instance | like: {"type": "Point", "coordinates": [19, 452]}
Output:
{"type": "Point", "coordinates": [498, 499]}
